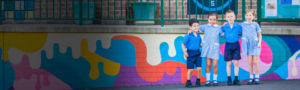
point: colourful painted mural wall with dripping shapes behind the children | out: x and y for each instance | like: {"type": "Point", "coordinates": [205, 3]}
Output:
{"type": "Point", "coordinates": [63, 61]}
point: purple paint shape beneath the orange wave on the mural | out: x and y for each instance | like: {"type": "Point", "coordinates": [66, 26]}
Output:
{"type": "Point", "coordinates": [128, 76]}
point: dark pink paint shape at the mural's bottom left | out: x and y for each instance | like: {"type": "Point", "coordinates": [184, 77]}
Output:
{"type": "Point", "coordinates": [27, 78]}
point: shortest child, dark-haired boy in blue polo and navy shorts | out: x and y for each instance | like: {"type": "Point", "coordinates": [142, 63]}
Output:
{"type": "Point", "coordinates": [191, 48]}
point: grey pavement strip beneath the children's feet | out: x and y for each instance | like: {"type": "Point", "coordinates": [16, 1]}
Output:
{"type": "Point", "coordinates": [265, 85]}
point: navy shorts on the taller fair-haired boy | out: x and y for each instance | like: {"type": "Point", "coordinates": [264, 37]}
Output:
{"type": "Point", "coordinates": [232, 51]}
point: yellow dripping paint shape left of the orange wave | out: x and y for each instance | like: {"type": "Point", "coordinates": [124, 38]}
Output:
{"type": "Point", "coordinates": [109, 67]}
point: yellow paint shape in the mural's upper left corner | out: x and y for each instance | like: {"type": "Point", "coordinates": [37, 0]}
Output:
{"type": "Point", "coordinates": [25, 42]}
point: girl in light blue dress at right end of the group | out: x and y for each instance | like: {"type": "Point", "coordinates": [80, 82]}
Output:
{"type": "Point", "coordinates": [251, 44]}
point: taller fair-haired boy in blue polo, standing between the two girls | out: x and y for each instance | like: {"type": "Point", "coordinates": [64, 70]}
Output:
{"type": "Point", "coordinates": [232, 46]}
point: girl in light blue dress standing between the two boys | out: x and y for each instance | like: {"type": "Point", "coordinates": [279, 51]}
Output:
{"type": "Point", "coordinates": [211, 47]}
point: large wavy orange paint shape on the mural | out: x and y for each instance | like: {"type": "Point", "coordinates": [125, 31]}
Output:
{"type": "Point", "coordinates": [154, 73]}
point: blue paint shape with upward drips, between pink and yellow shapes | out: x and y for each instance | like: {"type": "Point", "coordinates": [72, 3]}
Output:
{"type": "Point", "coordinates": [74, 71]}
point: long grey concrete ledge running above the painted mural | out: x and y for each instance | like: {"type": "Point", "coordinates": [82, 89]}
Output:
{"type": "Point", "coordinates": [142, 29]}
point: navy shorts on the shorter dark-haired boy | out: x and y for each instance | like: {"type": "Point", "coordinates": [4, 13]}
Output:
{"type": "Point", "coordinates": [194, 59]}
